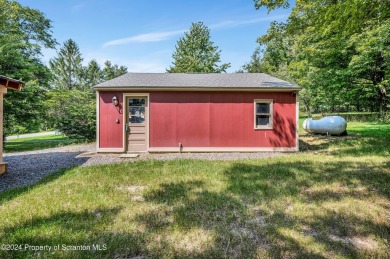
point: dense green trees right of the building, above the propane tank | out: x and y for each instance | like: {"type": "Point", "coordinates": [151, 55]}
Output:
{"type": "Point", "coordinates": [337, 51]}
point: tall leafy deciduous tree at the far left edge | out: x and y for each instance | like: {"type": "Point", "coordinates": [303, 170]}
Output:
{"type": "Point", "coordinates": [23, 33]}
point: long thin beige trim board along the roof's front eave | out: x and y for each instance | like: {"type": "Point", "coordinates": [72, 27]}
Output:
{"type": "Point", "coordinates": [214, 89]}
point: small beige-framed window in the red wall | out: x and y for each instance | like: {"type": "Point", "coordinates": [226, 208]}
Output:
{"type": "Point", "coordinates": [263, 114]}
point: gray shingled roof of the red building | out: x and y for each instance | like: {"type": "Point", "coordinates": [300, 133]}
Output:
{"type": "Point", "coordinates": [196, 80]}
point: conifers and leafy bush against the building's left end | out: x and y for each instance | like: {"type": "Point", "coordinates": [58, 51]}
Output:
{"type": "Point", "coordinates": [72, 101]}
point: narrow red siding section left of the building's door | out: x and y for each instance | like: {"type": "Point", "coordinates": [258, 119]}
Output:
{"type": "Point", "coordinates": [110, 132]}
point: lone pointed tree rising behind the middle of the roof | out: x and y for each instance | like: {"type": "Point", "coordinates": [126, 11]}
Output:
{"type": "Point", "coordinates": [196, 53]}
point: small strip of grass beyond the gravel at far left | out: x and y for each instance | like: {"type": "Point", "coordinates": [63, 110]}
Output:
{"type": "Point", "coordinates": [36, 143]}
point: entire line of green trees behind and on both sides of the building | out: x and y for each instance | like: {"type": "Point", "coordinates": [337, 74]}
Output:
{"type": "Point", "coordinates": [338, 51]}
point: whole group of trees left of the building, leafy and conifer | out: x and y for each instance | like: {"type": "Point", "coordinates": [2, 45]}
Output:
{"type": "Point", "coordinates": [56, 96]}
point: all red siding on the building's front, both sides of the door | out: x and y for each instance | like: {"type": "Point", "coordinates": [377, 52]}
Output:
{"type": "Point", "coordinates": [204, 119]}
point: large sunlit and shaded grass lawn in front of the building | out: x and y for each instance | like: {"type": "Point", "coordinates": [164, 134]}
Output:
{"type": "Point", "coordinates": [329, 201]}
